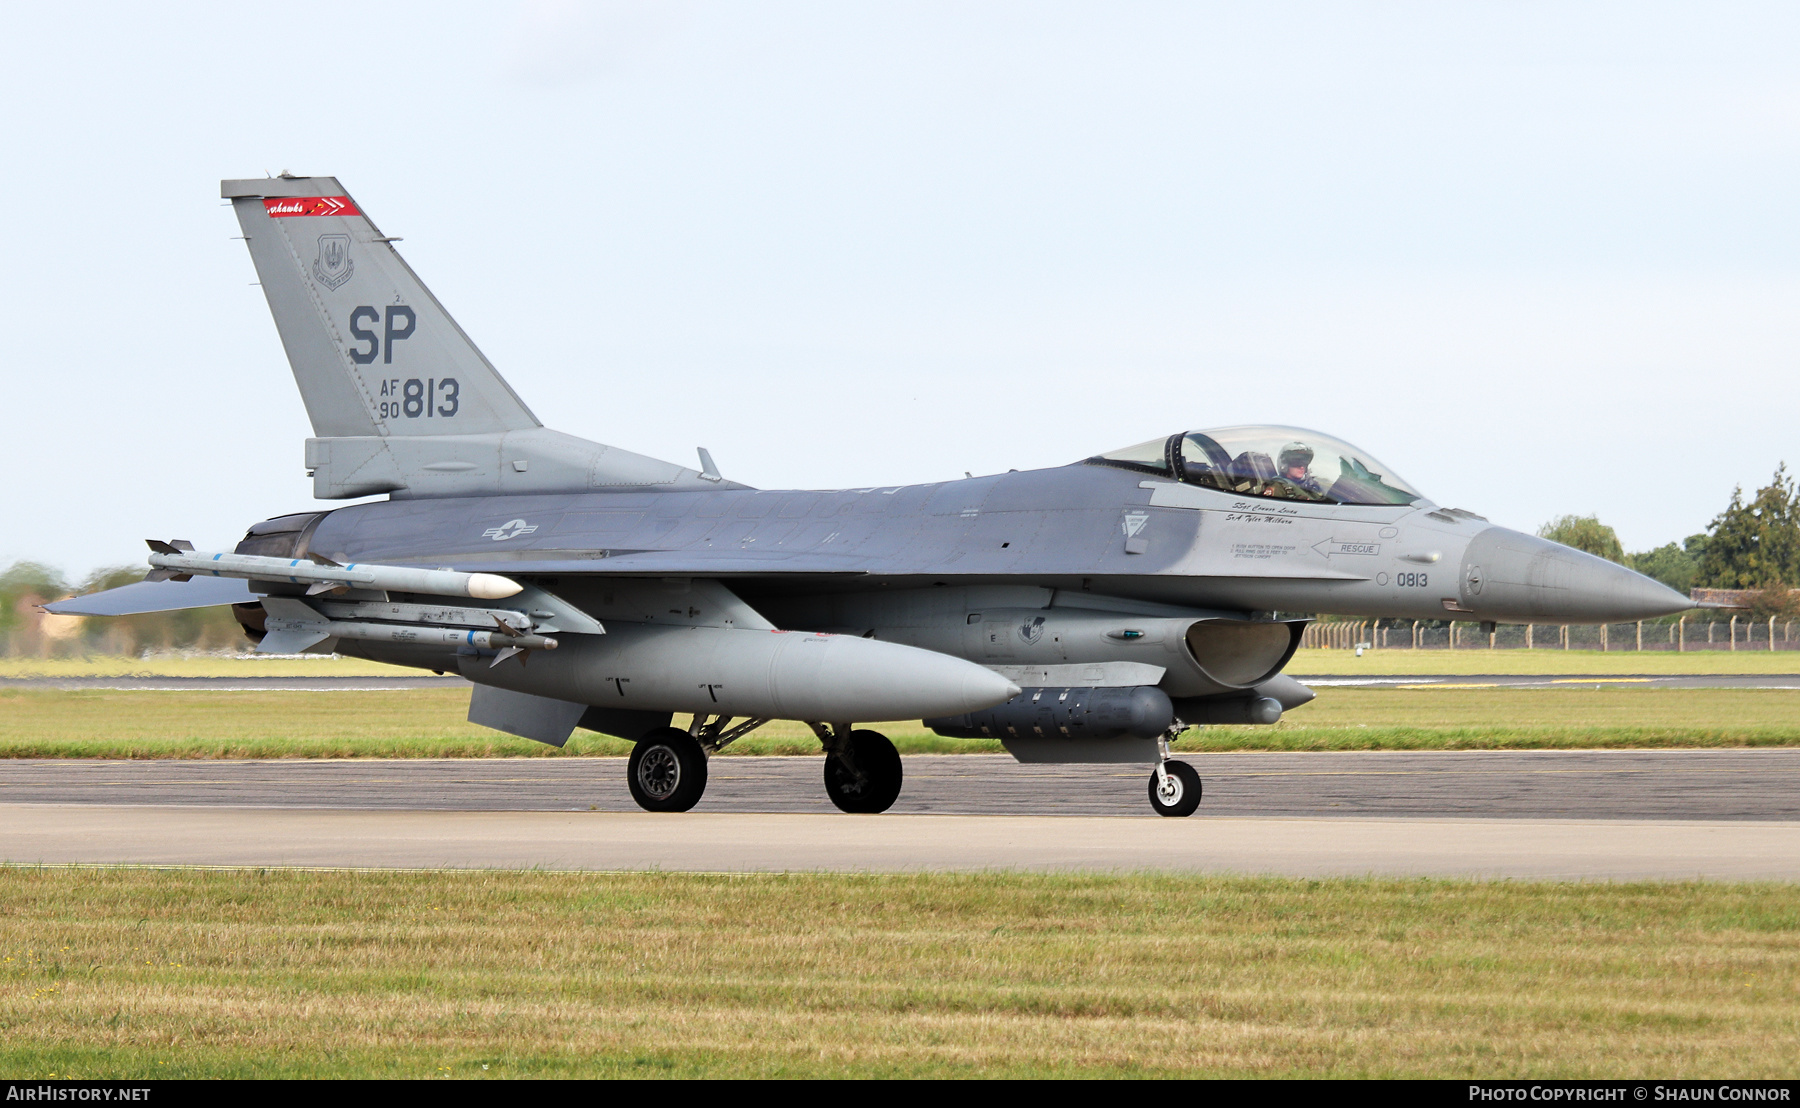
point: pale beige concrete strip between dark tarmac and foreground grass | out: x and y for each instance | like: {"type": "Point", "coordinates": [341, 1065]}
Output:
{"type": "Point", "coordinates": [562, 841]}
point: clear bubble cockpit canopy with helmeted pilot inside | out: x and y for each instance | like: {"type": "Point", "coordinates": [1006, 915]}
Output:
{"type": "Point", "coordinates": [1279, 463]}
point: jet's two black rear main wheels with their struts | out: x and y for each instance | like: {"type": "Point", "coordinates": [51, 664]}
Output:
{"type": "Point", "coordinates": [667, 771]}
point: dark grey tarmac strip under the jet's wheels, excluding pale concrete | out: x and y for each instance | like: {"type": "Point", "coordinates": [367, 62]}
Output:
{"type": "Point", "coordinates": [1628, 785]}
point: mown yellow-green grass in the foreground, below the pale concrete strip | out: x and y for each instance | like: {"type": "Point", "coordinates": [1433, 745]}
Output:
{"type": "Point", "coordinates": [282, 974]}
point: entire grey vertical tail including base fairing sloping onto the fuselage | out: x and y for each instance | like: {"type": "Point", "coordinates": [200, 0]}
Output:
{"type": "Point", "coordinates": [400, 400]}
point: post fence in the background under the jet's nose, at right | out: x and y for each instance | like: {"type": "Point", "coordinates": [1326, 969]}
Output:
{"type": "Point", "coordinates": [1675, 636]}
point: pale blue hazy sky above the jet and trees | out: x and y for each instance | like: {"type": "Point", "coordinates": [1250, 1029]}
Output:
{"type": "Point", "coordinates": [1538, 258]}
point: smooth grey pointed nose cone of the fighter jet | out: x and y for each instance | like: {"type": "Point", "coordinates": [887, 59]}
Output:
{"type": "Point", "coordinates": [1520, 578]}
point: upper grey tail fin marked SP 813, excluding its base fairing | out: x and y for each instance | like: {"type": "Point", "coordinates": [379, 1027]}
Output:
{"type": "Point", "coordinates": [373, 352]}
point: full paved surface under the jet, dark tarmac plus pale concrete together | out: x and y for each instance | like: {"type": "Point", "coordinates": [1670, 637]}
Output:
{"type": "Point", "coordinates": [1552, 816]}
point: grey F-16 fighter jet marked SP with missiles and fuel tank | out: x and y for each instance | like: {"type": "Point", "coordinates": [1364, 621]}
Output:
{"type": "Point", "coordinates": [1079, 614]}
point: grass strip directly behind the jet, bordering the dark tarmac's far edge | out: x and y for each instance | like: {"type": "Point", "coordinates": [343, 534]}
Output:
{"type": "Point", "coordinates": [431, 724]}
